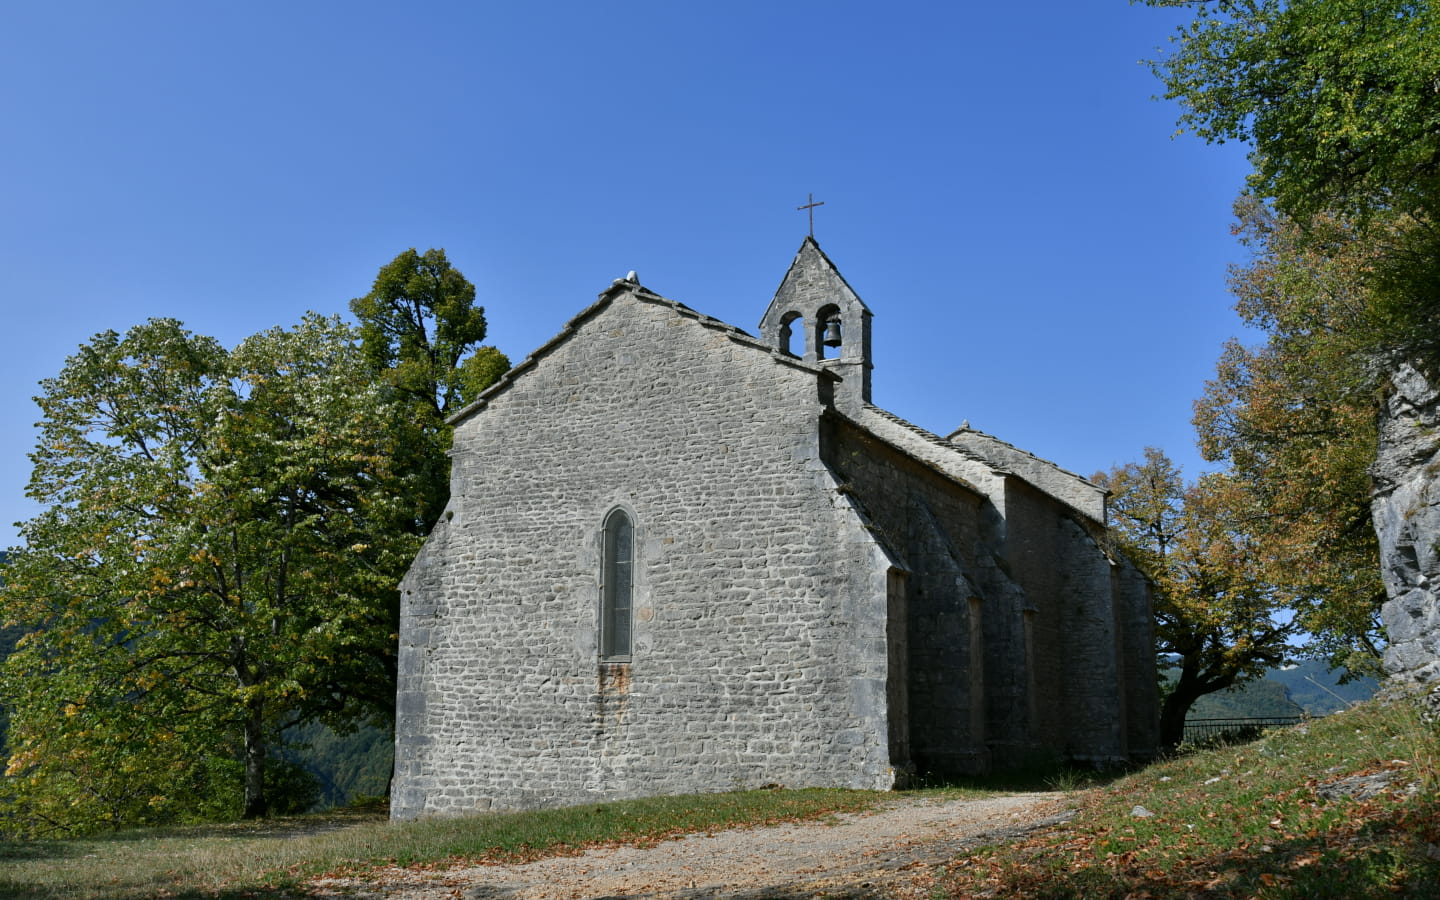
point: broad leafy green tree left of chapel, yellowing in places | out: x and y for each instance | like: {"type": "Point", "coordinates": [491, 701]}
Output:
{"type": "Point", "coordinates": [218, 531]}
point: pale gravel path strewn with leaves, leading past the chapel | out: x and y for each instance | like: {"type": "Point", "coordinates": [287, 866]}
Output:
{"type": "Point", "coordinates": [849, 856]}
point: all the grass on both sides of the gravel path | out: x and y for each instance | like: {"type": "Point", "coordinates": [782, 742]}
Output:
{"type": "Point", "coordinates": [1343, 807]}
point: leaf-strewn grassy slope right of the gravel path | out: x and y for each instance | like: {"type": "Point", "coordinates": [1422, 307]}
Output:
{"type": "Point", "coordinates": [1245, 822]}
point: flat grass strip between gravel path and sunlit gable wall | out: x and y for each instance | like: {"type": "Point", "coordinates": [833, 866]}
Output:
{"type": "Point", "coordinates": [273, 859]}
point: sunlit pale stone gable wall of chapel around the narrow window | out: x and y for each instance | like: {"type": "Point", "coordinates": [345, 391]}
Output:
{"type": "Point", "coordinates": [758, 659]}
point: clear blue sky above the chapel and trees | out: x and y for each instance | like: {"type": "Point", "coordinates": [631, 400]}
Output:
{"type": "Point", "coordinates": [1000, 186]}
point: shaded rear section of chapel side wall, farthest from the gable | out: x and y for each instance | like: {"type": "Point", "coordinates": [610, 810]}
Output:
{"type": "Point", "coordinates": [1079, 698]}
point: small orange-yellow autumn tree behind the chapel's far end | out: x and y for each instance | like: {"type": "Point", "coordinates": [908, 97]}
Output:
{"type": "Point", "coordinates": [1219, 624]}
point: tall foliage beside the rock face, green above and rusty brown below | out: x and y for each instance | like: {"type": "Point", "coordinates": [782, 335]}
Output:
{"type": "Point", "coordinates": [1340, 106]}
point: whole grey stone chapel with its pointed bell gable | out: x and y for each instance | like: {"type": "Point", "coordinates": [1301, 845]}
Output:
{"type": "Point", "coordinates": [679, 558]}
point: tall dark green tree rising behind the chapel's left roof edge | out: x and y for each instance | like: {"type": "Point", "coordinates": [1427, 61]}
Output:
{"type": "Point", "coordinates": [418, 325]}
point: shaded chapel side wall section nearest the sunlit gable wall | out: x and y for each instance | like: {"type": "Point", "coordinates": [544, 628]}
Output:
{"type": "Point", "coordinates": [938, 528]}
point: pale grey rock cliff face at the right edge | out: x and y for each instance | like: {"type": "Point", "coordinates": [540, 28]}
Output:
{"type": "Point", "coordinates": [1408, 519]}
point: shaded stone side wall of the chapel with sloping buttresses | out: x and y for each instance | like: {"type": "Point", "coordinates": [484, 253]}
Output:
{"type": "Point", "coordinates": [1066, 639]}
